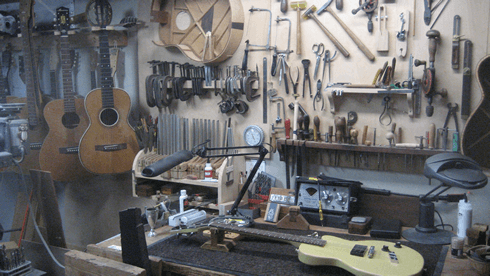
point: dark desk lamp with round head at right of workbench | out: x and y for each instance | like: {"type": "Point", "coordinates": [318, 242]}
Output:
{"type": "Point", "coordinates": [453, 170]}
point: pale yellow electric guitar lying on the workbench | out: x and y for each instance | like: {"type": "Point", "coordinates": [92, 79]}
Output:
{"type": "Point", "coordinates": [365, 257]}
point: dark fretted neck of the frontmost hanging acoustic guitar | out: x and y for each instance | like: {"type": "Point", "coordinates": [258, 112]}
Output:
{"type": "Point", "coordinates": [106, 81]}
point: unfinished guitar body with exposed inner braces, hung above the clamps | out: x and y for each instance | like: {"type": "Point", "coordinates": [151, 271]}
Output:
{"type": "Point", "coordinates": [205, 31]}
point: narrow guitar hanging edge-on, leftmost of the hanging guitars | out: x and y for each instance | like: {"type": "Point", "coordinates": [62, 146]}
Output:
{"type": "Point", "coordinates": [34, 100]}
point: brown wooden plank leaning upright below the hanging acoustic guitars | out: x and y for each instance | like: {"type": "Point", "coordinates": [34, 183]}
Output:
{"type": "Point", "coordinates": [46, 195]}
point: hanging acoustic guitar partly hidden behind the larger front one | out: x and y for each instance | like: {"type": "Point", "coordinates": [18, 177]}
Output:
{"type": "Point", "coordinates": [66, 118]}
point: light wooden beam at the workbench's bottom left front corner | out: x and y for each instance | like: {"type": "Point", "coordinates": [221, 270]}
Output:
{"type": "Point", "coordinates": [78, 263]}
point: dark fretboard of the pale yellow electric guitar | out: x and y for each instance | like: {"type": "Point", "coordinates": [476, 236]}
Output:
{"type": "Point", "coordinates": [270, 234]}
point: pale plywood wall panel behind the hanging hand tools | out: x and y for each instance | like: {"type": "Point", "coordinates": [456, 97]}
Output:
{"type": "Point", "coordinates": [354, 69]}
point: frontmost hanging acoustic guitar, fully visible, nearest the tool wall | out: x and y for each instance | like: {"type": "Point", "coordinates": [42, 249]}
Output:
{"type": "Point", "coordinates": [109, 144]}
